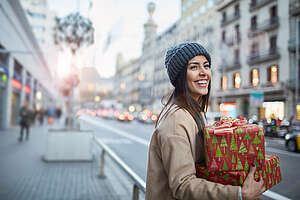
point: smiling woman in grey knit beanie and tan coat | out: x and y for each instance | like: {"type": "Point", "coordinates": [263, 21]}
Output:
{"type": "Point", "coordinates": [177, 142]}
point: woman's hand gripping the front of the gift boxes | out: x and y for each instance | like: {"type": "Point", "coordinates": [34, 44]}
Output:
{"type": "Point", "coordinates": [252, 189]}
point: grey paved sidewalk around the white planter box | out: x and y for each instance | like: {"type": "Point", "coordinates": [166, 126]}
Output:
{"type": "Point", "coordinates": [24, 176]}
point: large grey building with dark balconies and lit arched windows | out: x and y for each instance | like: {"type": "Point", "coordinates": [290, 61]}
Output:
{"type": "Point", "coordinates": [252, 78]}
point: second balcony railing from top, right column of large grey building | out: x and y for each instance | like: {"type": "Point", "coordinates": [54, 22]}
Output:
{"type": "Point", "coordinates": [266, 25]}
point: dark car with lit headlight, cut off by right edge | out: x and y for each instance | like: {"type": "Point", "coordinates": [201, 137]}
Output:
{"type": "Point", "coordinates": [292, 139]}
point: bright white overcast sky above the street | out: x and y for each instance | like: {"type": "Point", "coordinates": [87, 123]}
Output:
{"type": "Point", "coordinates": [124, 20]}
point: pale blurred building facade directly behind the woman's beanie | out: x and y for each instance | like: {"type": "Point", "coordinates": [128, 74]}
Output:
{"type": "Point", "coordinates": [197, 23]}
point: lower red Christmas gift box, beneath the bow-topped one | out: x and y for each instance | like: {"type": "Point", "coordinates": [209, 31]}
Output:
{"type": "Point", "coordinates": [270, 174]}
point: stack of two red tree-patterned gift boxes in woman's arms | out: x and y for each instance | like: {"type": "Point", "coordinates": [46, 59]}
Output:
{"type": "Point", "coordinates": [231, 146]}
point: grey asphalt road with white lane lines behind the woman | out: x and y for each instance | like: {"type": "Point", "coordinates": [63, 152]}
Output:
{"type": "Point", "coordinates": [130, 141]}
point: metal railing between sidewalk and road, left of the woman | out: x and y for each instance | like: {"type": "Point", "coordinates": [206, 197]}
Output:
{"type": "Point", "coordinates": [138, 185]}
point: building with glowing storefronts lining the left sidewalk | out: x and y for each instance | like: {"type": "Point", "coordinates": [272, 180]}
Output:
{"type": "Point", "coordinates": [25, 74]}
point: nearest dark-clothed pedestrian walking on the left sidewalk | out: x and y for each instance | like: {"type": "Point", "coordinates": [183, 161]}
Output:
{"type": "Point", "coordinates": [26, 116]}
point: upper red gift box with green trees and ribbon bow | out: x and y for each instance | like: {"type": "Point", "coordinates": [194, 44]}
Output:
{"type": "Point", "coordinates": [233, 145]}
